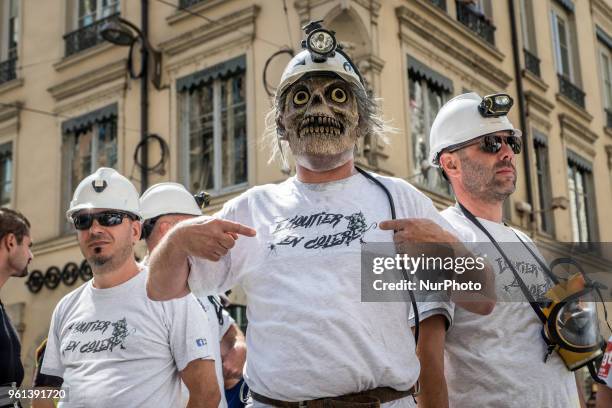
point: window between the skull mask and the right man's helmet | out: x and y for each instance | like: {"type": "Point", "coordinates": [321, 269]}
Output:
{"type": "Point", "coordinates": [428, 91]}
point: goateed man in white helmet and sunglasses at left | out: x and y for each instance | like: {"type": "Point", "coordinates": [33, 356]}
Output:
{"type": "Point", "coordinates": [111, 345]}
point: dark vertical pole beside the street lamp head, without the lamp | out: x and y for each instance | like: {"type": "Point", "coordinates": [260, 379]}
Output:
{"type": "Point", "coordinates": [144, 98]}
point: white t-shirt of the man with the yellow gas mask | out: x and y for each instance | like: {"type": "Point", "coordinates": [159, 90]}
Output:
{"type": "Point", "coordinates": [498, 360]}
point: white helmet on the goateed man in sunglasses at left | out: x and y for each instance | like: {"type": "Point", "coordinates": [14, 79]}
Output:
{"type": "Point", "coordinates": [105, 189]}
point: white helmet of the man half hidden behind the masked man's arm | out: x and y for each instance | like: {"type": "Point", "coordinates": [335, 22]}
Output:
{"type": "Point", "coordinates": [168, 198]}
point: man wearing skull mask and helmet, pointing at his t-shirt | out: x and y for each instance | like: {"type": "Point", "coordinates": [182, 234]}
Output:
{"type": "Point", "coordinates": [309, 335]}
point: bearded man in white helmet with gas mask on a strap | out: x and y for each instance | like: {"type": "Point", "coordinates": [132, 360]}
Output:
{"type": "Point", "coordinates": [496, 360]}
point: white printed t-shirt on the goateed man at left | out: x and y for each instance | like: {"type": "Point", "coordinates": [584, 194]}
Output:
{"type": "Point", "coordinates": [117, 348]}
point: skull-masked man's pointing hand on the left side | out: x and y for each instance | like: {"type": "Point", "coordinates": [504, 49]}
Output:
{"type": "Point", "coordinates": [209, 238]}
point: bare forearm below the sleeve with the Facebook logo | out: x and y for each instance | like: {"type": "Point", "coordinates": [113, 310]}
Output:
{"type": "Point", "coordinates": [201, 380]}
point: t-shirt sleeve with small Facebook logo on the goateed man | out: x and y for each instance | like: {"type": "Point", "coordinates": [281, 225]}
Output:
{"type": "Point", "coordinates": [190, 334]}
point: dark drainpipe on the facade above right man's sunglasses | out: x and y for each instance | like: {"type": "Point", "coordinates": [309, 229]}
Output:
{"type": "Point", "coordinates": [522, 113]}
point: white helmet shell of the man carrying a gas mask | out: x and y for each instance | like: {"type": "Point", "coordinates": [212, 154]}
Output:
{"type": "Point", "coordinates": [460, 120]}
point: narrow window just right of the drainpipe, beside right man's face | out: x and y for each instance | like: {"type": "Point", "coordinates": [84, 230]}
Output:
{"type": "Point", "coordinates": [540, 146]}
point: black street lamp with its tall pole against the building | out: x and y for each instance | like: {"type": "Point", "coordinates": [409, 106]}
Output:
{"type": "Point", "coordinates": [120, 31]}
